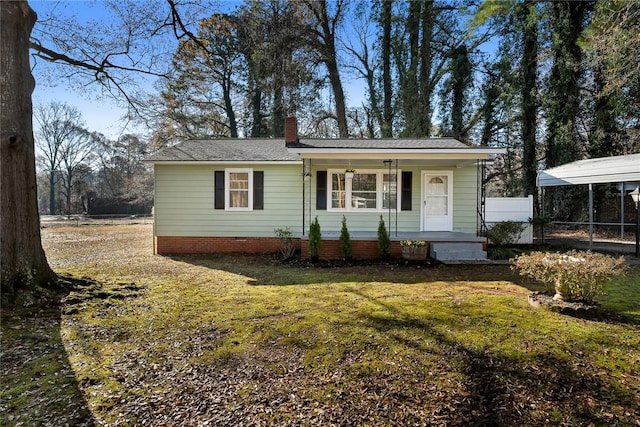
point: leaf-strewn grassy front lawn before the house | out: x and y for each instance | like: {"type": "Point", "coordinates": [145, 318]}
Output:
{"type": "Point", "coordinates": [234, 339]}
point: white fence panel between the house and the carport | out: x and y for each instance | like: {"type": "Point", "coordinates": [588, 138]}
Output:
{"type": "Point", "coordinates": [518, 209]}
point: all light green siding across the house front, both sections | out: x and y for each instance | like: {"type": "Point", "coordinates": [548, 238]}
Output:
{"type": "Point", "coordinates": [184, 203]}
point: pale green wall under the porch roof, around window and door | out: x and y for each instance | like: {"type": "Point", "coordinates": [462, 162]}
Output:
{"type": "Point", "coordinates": [464, 203]}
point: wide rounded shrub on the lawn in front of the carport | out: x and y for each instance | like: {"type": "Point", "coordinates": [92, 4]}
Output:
{"type": "Point", "coordinates": [573, 275]}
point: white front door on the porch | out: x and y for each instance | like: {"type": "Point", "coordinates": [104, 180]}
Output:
{"type": "Point", "coordinates": [437, 201]}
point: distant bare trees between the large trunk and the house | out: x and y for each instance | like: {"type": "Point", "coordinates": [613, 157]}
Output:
{"type": "Point", "coordinates": [83, 172]}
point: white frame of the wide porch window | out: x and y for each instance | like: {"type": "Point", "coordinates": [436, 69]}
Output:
{"type": "Point", "coordinates": [348, 188]}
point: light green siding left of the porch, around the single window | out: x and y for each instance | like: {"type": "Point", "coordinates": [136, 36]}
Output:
{"type": "Point", "coordinates": [184, 202]}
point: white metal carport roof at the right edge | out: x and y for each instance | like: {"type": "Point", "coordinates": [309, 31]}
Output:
{"type": "Point", "coordinates": [593, 171]}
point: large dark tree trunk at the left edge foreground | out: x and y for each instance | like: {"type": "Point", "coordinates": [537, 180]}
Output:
{"type": "Point", "coordinates": [24, 265]}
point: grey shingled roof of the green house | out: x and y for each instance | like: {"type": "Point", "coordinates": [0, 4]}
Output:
{"type": "Point", "coordinates": [275, 150]}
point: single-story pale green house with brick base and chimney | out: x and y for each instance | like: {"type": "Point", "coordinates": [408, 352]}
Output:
{"type": "Point", "coordinates": [230, 195]}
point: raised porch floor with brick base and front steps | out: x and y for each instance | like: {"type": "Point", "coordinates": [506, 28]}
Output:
{"type": "Point", "coordinates": [443, 246]}
